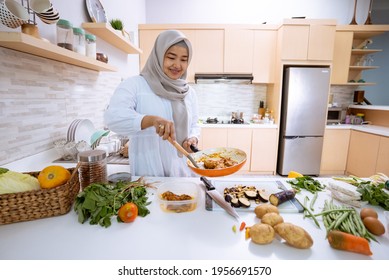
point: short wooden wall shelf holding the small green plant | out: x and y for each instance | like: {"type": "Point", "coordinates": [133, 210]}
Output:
{"type": "Point", "coordinates": [108, 34]}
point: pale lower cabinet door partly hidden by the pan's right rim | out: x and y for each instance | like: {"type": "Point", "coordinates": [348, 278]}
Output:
{"type": "Point", "coordinates": [240, 138]}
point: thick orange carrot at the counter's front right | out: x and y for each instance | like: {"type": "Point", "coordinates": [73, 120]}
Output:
{"type": "Point", "coordinates": [348, 242]}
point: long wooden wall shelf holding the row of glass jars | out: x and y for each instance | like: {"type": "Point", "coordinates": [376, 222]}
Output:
{"type": "Point", "coordinates": [29, 44]}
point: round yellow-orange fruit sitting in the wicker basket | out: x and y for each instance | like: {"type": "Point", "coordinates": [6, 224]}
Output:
{"type": "Point", "coordinates": [53, 176]}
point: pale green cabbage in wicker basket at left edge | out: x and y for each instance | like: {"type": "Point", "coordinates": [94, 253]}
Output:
{"type": "Point", "coordinates": [12, 182]}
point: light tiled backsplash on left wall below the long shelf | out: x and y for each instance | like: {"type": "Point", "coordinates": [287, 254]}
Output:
{"type": "Point", "coordinates": [39, 98]}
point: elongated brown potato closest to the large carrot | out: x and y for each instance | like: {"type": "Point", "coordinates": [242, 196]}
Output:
{"type": "Point", "coordinates": [294, 235]}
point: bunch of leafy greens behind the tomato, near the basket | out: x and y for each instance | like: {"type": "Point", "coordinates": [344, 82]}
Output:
{"type": "Point", "coordinates": [100, 202]}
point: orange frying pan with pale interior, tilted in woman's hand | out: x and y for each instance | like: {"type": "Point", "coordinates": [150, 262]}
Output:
{"type": "Point", "coordinates": [233, 153]}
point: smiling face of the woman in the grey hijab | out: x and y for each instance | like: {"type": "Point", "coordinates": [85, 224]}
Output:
{"type": "Point", "coordinates": [175, 62]}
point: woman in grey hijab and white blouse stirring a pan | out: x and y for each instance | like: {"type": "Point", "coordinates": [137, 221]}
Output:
{"type": "Point", "coordinates": [156, 105]}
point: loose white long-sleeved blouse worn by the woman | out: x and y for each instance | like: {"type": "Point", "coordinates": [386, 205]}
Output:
{"type": "Point", "coordinates": [149, 154]}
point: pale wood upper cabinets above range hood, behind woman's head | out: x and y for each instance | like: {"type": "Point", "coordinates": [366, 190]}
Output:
{"type": "Point", "coordinates": [222, 48]}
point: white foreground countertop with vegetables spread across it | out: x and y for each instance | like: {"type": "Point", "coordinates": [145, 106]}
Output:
{"type": "Point", "coordinates": [200, 234]}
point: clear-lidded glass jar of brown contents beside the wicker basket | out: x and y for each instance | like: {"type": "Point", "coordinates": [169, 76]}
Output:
{"type": "Point", "coordinates": [93, 167]}
